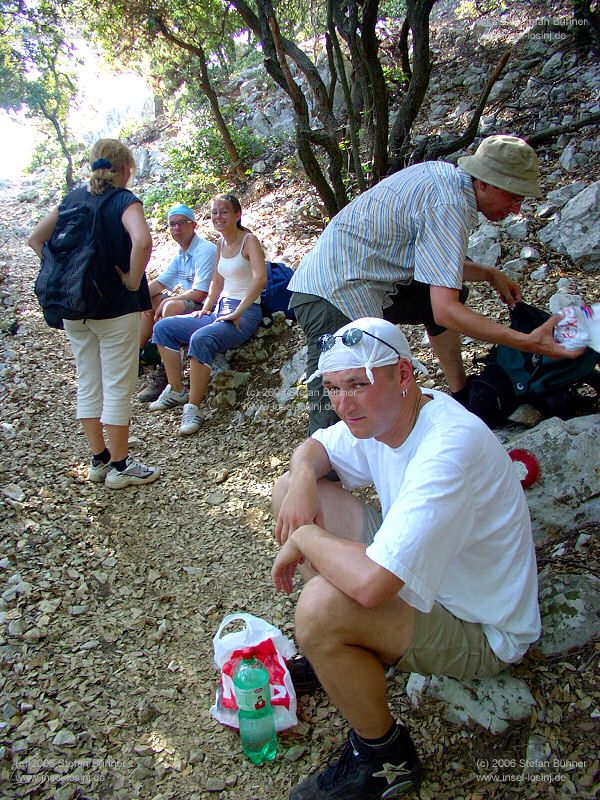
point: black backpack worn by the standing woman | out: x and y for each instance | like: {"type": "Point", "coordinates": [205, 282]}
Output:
{"type": "Point", "coordinates": [70, 281]}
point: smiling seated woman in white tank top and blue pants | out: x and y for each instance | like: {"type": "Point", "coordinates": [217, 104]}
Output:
{"type": "Point", "coordinates": [230, 314]}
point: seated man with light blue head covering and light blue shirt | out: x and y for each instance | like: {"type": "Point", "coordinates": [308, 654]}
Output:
{"type": "Point", "coordinates": [191, 272]}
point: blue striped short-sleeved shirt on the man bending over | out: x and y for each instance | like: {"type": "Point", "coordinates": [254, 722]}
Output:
{"type": "Point", "coordinates": [414, 224]}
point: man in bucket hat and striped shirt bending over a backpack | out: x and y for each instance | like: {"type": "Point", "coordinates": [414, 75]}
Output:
{"type": "Point", "coordinates": [398, 251]}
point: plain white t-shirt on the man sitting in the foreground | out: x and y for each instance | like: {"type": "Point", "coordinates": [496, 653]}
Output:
{"type": "Point", "coordinates": [456, 527]}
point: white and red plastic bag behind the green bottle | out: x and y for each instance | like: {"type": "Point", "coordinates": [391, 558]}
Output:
{"type": "Point", "coordinates": [273, 649]}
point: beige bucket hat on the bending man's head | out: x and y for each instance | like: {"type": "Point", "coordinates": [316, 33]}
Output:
{"type": "Point", "coordinates": [506, 162]}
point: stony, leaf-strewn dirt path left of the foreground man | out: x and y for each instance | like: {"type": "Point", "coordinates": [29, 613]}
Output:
{"type": "Point", "coordinates": [118, 594]}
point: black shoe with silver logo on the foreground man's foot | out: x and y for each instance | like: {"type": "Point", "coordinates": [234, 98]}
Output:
{"type": "Point", "coordinates": [366, 773]}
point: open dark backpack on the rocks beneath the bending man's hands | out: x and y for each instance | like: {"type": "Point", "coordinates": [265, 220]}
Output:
{"type": "Point", "coordinates": [511, 377]}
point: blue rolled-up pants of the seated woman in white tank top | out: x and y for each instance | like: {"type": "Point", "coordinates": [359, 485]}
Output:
{"type": "Point", "coordinates": [205, 337]}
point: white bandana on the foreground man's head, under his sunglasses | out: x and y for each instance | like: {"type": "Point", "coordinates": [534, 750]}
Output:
{"type": "Point", "coordinates": [385, 345]}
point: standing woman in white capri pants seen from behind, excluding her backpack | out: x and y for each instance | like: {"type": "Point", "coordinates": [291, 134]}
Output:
{"type": "Point", "coordinates": [105, 346]}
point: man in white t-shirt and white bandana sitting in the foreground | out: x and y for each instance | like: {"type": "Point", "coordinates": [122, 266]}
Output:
{"type": "Point", "coordinates": [442, 582]}
